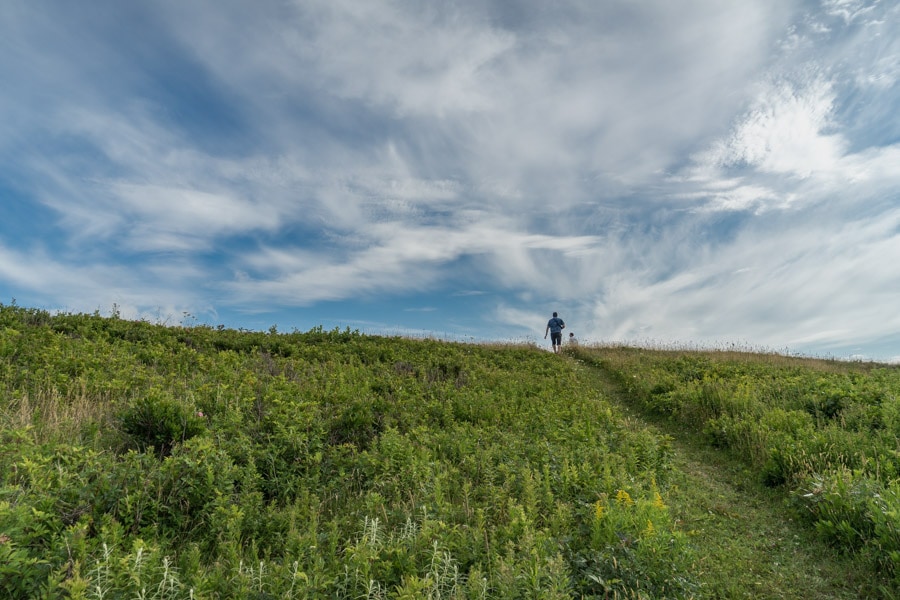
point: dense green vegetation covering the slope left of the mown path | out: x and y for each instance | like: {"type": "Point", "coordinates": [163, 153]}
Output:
{"type": "Point", "coordinates": [149, 462]}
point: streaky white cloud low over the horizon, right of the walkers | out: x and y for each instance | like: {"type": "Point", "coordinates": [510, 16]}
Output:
{"type": "Point", "coordinates": [830, 284]}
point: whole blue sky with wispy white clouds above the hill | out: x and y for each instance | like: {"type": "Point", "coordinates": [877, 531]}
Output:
{"type": "Point", "coordinates": [697, 173]}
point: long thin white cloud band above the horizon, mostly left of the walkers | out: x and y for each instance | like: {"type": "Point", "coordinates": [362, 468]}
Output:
{"type": "Point", "coordinates": [398, 257]}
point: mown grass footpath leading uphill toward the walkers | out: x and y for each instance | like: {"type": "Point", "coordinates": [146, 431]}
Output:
{"type": "Point", "coordinates": [746, 541]}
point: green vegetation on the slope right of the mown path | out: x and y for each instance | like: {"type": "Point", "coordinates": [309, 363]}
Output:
{"type": "Point", "coordinates": [822, 434]}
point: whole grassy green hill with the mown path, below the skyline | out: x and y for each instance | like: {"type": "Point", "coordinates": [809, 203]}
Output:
{"type": "Point", "coordinates": [141, 461]}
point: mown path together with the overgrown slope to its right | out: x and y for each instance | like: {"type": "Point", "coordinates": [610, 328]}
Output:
{"type": "Point", "coordinates": [787, 467]}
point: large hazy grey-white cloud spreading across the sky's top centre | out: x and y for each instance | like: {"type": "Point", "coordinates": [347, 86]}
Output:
{"type": "Point", "coordinates": [504, 109]}
